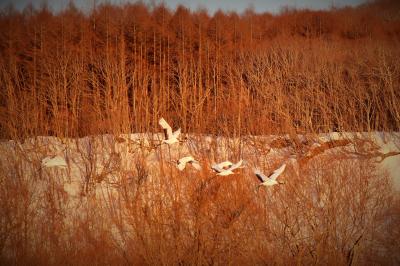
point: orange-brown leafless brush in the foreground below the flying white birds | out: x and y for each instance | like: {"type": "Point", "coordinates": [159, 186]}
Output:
{"type": "Point", "coordinates": [337, 211]}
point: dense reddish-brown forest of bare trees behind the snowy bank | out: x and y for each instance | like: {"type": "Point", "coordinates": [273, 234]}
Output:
{"type": "Point", "coordinates": [119, 68]}
